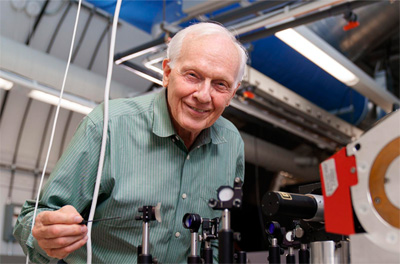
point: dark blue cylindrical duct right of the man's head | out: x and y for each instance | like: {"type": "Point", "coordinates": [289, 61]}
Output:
{"type": "Point", "coordinates": [281, 63]}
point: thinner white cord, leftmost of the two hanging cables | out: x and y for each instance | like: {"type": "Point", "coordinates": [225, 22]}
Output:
{"type": "Point", "coordinates": [55, 119]}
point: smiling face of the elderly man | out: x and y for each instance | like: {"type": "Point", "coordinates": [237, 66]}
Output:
{"type": "Point", "coordinates": [201, 84]}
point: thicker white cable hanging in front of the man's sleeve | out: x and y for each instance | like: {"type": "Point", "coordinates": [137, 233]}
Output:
{"type": "Point", "coordinates": [105, 128]}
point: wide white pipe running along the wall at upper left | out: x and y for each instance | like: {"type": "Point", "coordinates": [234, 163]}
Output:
{"type": "Point", "coordinates": [33, 64]}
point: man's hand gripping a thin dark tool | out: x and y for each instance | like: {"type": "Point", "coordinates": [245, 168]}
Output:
{"type": "Point", "coordinates": [59, 232]}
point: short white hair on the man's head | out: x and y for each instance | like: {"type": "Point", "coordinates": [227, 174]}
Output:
{"type": "Point", "coordinates": [203, 29]}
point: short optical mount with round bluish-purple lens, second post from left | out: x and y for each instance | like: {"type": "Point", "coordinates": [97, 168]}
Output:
{"type": "Point", "coordinates": [193, 223]}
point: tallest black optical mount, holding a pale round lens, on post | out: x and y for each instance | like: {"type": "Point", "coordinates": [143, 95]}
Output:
{"type": "Point", "coordinates": [228, 198]}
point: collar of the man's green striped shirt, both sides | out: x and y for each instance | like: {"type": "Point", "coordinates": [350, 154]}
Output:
{"type": "Point", "coordinates": [162, 125]}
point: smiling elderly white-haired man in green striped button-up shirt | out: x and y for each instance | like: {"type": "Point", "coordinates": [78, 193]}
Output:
{"type": "Point", "coordinates": [172, 148]}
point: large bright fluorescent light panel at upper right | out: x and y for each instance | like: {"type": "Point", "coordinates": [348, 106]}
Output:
{"type": "Point", "coordinates": [317, 56]}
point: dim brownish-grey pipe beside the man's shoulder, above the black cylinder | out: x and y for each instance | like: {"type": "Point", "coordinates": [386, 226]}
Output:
{"type": "Point", "coordinates": [275, 158]}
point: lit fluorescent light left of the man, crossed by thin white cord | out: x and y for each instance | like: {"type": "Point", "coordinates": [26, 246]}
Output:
{"type": "Point", "coordinates": [52, 99]}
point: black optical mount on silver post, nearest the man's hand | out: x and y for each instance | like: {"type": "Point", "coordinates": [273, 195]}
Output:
{"type": "Point", "coordinates": [147, 214]}
